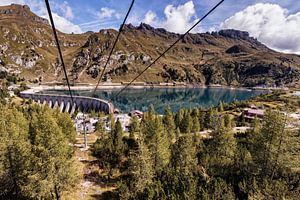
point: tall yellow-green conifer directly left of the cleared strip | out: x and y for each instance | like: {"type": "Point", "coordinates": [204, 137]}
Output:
{"type": "Point", "coordinates": [52, 162]}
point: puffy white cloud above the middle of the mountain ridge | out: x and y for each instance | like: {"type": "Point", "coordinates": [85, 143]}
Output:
{"type": "Point", "coordinates": [177, 19]}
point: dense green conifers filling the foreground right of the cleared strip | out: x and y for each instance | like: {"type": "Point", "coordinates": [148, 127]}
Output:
{"type": "Point", "coordinates": [224, 166]}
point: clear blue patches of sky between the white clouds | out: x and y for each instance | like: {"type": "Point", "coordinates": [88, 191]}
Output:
{"type": "Point", "coordinates": [87, 11]}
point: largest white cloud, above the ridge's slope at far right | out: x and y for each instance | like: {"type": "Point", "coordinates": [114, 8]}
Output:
{"type": "Point", "coordinates": [270, 24]}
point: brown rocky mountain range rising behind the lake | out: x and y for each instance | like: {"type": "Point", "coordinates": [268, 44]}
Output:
{"type": "Point", "coordinates": [227, 57]}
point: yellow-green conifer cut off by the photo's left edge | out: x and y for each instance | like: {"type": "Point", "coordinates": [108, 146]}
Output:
{"type": "Point", "coordinates": [15, 154]}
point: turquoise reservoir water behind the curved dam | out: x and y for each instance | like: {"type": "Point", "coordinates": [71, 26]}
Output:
{"type": "Point", "coordinates": [176, 98]}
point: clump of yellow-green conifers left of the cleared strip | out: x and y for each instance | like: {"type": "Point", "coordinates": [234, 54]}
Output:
{"type": "Point", "coordinates": [37, 159]}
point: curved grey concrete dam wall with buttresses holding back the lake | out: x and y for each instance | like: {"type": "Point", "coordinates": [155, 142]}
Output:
{"type": "Point", "coordinates": [64, 102]}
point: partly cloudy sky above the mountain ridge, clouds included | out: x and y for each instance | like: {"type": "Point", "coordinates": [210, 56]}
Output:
{"type": "Point", "coordinates": [275, 23]}
